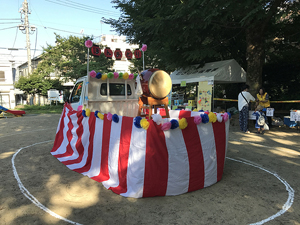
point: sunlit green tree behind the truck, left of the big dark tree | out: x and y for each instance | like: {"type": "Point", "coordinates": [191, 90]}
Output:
{"type": "Point", "coordinates": [69, 58]}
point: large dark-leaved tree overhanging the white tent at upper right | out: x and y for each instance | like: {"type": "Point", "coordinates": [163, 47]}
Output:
{"type": "Point", "coordinates": [186, 32]}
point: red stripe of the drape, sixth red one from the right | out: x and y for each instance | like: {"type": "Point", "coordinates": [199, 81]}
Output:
{"type": "Point", "coordinates": [87, 166]}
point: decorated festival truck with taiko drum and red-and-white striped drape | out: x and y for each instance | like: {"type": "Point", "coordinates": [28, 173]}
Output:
{"type": "Point", "coordinates": [104, 134]}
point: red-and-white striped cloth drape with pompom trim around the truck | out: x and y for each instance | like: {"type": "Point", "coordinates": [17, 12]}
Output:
{"type": "Point", "coordinates": [138, 158]}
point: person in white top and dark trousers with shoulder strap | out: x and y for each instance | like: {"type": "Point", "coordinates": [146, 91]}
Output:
{"type": "Point", "coordinates": [244, 99]}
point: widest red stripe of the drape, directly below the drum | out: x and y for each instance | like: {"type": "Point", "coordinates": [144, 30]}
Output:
{"type": "Point", "coordinates": [156, 162]}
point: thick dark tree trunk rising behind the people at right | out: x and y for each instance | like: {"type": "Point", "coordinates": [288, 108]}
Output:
{"type": "Point", "coordinates": [255, 58]}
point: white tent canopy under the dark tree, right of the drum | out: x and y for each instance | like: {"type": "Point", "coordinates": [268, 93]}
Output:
{"type": "Point", "coordinates": [227, 71]}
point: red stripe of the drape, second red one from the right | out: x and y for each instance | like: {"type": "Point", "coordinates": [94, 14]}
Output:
{"type": "Point", "coordinates": [195, 154]}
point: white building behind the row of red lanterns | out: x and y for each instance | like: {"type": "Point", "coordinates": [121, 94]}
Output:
{"type": "Point", "coordinates": [114, 42]}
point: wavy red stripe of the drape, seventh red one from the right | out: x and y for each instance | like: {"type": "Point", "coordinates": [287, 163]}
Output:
{"type": "Point", "coordinates": [79, 147]}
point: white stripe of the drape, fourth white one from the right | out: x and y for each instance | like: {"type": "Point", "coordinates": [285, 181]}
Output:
{"type": "Point", "coordinates": [113, 155]}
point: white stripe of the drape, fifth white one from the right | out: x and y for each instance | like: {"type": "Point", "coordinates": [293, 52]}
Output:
{"type": "Point", "coordinates": [97, 150]}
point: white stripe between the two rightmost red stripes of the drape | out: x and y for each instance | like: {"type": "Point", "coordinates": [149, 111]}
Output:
{"type": "Point", "coordinates": [209, 153]}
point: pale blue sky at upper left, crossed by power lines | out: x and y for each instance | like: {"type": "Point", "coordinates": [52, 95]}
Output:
{"type": "Point", "coordinates": [64, 17]}
